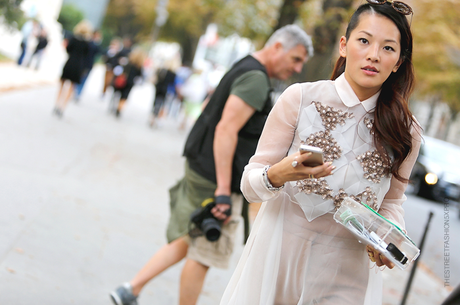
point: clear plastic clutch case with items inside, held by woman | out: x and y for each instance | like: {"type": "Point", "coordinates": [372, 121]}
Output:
{"type": "Point", "coordinates": [373, 229]}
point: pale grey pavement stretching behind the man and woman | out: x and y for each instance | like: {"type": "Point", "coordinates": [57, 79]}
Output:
{"type": "Point", "coordinates": [84, 203]}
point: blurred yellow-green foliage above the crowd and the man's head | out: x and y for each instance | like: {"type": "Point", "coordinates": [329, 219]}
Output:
{"type": "Point", "coordinates": [248, 18]}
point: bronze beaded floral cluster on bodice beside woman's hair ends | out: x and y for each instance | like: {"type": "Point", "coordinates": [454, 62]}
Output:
{"type": "Point", "coordinates": [374, 165]}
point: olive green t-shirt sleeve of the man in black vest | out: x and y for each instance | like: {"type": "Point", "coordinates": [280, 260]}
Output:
{"type": "Point", "coordinates": [252, 87]}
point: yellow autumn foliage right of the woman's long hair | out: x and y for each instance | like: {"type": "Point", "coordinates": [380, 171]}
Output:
{"type": "Point", "coordinates": [437, 50]}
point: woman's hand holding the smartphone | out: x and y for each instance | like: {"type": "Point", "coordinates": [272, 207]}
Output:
{"type": "Point", "coordinates": [284, 170]}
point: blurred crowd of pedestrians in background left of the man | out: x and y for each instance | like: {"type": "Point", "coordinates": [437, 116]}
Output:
{"type": "Point", "coordinates": [180, 90]}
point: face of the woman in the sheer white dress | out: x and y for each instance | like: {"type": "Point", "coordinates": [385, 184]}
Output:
{"type": "Point", "coordinates": [372, 54]}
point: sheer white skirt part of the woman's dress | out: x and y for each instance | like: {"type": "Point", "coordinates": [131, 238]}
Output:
{"type": "Point", "coordinates": [289, 260]}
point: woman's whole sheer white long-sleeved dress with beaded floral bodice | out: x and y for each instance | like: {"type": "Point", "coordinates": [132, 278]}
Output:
{"type": "Point", "coordinates": [296, 253]}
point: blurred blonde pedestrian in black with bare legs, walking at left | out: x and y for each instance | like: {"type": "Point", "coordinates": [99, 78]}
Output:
{"type": "Point", "coordinates": [77, 49]}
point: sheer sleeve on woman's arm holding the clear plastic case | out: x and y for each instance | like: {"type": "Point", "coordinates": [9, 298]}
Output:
{"type": "Point", "coordinates": [391, 207]}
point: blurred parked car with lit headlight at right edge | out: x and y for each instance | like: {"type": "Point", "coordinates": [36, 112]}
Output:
{"type": "Point", "coordinates": [436, 174]}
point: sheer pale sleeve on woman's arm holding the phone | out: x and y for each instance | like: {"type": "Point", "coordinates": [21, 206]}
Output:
{"type": "Point", "coordinates": [274, 143]}
